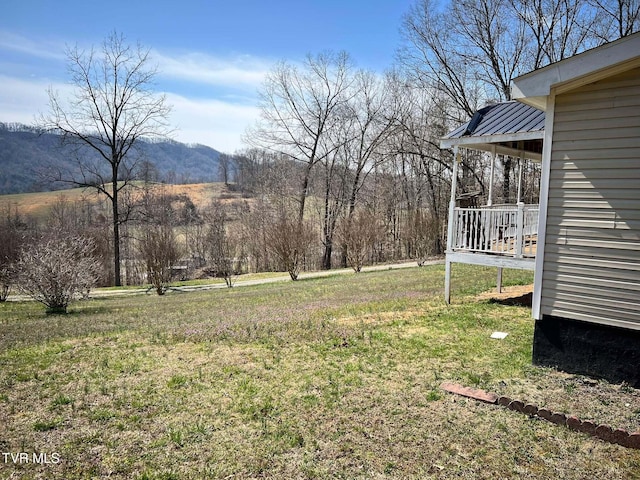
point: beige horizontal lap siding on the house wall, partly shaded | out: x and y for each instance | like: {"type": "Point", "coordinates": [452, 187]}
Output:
{"type": "Point", "coordinates": [591, 266]}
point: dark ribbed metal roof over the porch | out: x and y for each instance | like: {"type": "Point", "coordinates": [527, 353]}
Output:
{"type": "Point", "coordinates": [511, 128]}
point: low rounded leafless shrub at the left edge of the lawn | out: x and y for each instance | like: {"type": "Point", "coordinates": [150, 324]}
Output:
{"type": "Point", "coordinates": [56, 269]}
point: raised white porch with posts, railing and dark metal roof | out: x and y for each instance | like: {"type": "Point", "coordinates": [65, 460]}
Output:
{"type": "Point", "coordinates": [500, 235]}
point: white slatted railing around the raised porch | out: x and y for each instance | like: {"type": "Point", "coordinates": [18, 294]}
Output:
{"type": "Point", "coordinates": [509, 230]}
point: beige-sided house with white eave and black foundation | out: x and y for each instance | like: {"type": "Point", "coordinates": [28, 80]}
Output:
{"type": "Point", "coordinates": [586, 302]}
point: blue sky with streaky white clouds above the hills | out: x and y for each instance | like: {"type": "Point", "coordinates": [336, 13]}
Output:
{"type": "Point", "coordinates": [212, 55]}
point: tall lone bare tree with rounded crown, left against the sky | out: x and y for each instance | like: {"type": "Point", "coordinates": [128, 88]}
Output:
{"type": "Point", "coordinates": [112, 108]}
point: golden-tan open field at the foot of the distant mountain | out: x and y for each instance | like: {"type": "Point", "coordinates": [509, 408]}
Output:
{"type": "Point", "coordinates": [39, 204]}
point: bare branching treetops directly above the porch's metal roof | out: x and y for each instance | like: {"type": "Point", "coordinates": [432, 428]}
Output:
{"type": "Point", "coordinates": [472, 49]}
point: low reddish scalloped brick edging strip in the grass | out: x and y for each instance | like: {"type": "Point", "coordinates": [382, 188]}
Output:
{"type": "Point", "coordinates": [603, 432]}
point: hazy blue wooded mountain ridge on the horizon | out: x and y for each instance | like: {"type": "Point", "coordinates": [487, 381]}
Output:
{"type": "Point", "coordinates": [25, 154]}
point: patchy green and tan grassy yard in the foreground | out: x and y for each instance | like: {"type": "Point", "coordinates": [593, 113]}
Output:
{"type": "Point", "coordinates": [335, 377]}
